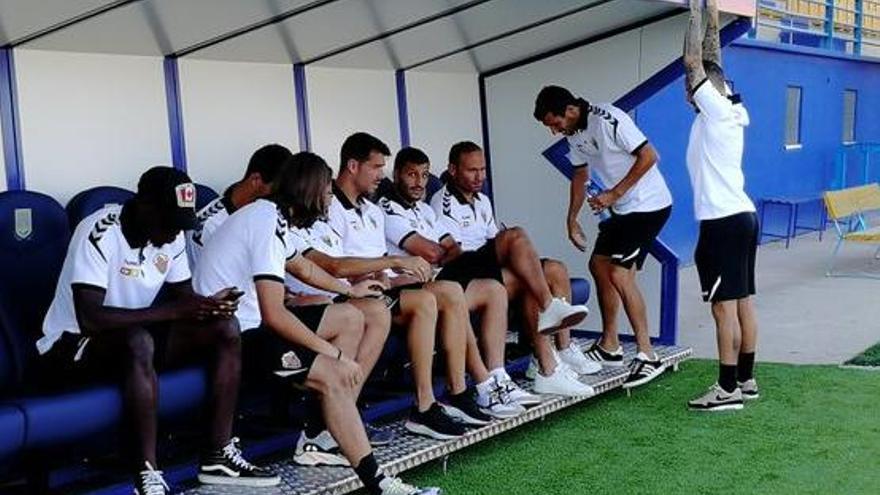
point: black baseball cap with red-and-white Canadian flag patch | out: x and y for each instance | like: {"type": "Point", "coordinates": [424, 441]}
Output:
{"type": "Point", "coordinates": [172, 193]}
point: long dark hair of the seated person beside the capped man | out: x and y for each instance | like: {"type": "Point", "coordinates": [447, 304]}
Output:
{"type": "Point", "coordinates": [302, 187]}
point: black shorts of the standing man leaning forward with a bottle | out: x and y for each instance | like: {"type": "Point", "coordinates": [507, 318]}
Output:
{"type": "Point", "coordinates": [626, 239]}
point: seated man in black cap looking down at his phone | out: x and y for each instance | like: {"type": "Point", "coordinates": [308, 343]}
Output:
{"type": "Point", "coordinates": [103, 325]}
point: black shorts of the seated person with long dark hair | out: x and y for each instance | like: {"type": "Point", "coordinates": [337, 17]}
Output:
{"type": "Point", "coordinates": [264, 352]}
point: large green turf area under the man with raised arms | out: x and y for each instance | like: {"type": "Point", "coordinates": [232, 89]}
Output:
{"type": "Point", "coordinates": [816, 429]}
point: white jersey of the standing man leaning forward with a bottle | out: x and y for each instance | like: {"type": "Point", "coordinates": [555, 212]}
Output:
{"type": "Point", "coordinates": [608, 145]}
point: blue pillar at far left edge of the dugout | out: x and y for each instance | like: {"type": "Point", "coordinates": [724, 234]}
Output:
{"type": "Point", "coordinates": [9, 123]}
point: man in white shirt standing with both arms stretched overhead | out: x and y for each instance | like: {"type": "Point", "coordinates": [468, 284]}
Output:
{"type": "Point", "coordinates": [728, 242]}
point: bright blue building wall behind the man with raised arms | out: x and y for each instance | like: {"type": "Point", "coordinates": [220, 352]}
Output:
{"type": "Point", "coordinates": [761, 72]}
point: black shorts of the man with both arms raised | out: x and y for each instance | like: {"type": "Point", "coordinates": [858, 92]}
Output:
{"type": "Point", "coordinates": [725, 257]}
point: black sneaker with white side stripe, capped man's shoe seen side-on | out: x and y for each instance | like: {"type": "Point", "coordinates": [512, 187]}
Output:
{"type": "Point", "coordinates": [227, 467]}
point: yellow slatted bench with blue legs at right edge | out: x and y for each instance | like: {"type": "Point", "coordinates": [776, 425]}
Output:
{"type": "Point", "coordinates": [847, 209]}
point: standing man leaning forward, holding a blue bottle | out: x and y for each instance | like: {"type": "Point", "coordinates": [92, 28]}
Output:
{"type": "Point", "coordinates": [604, 137]}
